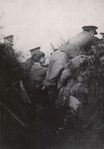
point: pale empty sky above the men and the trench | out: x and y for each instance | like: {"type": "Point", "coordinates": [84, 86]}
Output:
{"type": "Point", "coordinates": [42, 22]}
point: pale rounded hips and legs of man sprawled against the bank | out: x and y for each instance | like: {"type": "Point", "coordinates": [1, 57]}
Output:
{"type": "Point", "coordinates": [56, 65]}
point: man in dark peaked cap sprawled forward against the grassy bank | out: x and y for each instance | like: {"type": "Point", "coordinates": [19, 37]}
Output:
{"type": "Point", "coordinates": [79, 45]}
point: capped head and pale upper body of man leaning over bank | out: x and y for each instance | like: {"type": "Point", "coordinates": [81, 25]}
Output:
{"type": "Point", "coordinates": [81, 43]}
